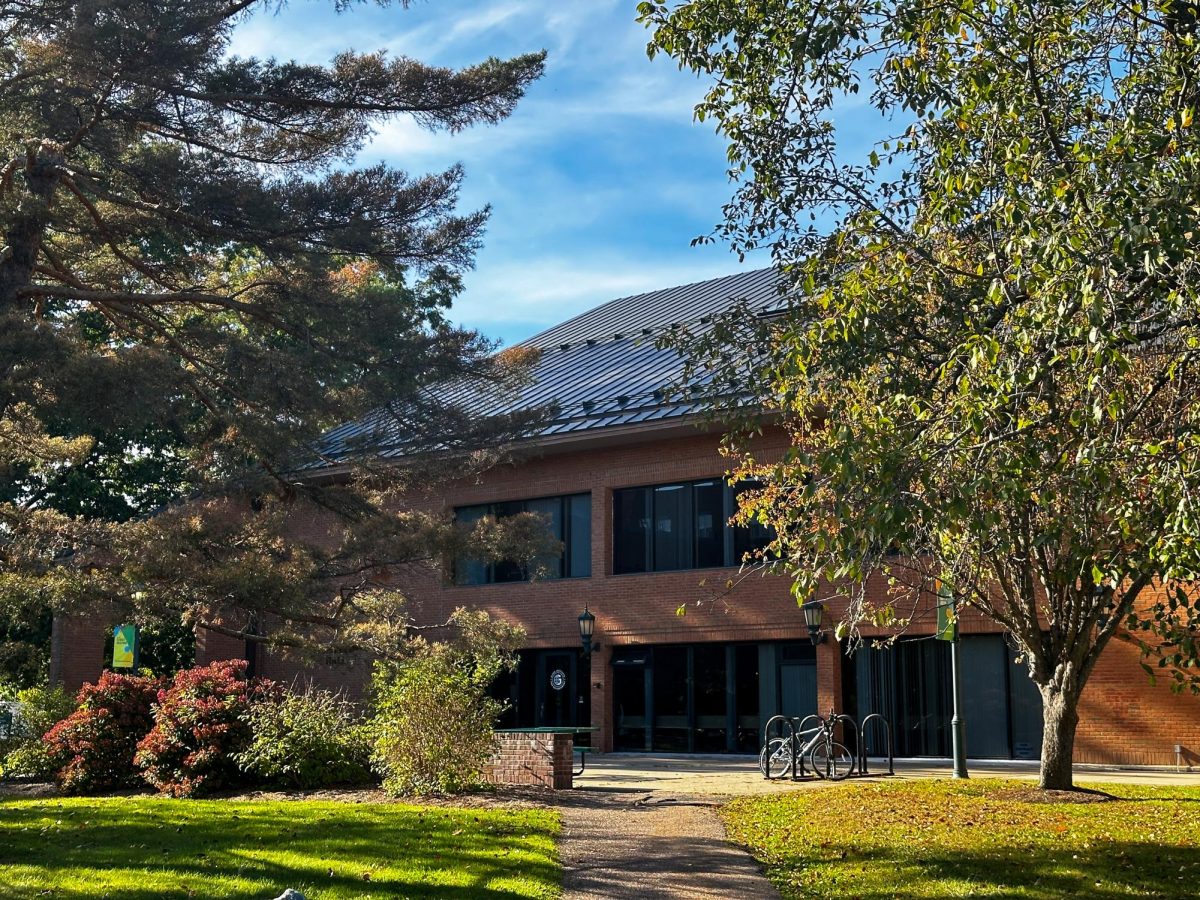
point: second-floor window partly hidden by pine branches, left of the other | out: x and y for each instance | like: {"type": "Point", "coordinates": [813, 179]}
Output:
{"type": "Point", "coordinates": [571, 523]}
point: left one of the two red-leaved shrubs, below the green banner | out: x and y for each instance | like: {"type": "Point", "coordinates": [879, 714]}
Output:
{"type": "Point", "coordinates": [93, 748]}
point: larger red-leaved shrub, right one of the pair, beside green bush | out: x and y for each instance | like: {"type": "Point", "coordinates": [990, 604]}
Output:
{"type": "Point", "coordinates": [200, 724]}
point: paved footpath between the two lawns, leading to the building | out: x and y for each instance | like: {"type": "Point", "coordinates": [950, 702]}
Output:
{"type": "Point", "coordinates": [652, 845]}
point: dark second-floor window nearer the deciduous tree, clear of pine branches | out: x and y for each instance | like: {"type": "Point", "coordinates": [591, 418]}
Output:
{"type": "Point", "coordinates": [681, 526]}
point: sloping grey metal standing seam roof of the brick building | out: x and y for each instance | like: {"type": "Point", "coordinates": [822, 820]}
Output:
{"type": "Point", "coordinates": [601, 369]}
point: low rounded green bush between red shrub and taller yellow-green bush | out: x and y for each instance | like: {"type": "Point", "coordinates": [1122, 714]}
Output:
{"type": "Point", "coordinates": [309, 740]}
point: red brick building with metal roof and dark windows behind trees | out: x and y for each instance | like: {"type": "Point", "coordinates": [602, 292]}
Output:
{"type": "Point", "coordinates": [634, 488]}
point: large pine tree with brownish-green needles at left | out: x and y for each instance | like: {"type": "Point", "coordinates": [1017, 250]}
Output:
{"type": "Point", "coordinates": [195, 283]}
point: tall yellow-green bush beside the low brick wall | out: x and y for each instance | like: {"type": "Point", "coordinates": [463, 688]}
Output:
{"type": "Point", "coordinates": [435, 721]}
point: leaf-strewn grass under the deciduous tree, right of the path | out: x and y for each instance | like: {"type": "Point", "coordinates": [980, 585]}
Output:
{"type": "Point", "coordinates": [949, 839]}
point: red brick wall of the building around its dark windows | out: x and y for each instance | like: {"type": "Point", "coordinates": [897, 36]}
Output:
{"type": "Point", "coordinates": [1125, 718]}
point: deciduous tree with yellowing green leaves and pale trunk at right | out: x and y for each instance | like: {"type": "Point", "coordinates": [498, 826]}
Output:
{"type": "Point", "coordinates": [987, 357]}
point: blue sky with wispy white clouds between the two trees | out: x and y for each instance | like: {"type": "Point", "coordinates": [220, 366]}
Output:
{"type": "Point", "coordinates": [598, 183]}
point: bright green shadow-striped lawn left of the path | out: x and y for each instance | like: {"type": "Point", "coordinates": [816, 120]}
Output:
{"type": "Point", "coordinates": [137, 849]}
